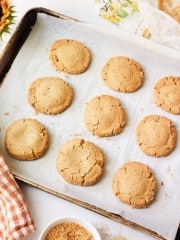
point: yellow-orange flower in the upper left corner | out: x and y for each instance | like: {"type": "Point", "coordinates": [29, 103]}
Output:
{"type": "Point", "coordinates": [6, 16]}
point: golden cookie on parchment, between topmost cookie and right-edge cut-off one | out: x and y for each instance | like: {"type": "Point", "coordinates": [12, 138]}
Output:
{"type": "Point", "coordinates": [123, 74]}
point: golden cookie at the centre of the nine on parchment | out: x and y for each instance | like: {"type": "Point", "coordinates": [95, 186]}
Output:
{"type": "Point", "coordinates": [104, 116]}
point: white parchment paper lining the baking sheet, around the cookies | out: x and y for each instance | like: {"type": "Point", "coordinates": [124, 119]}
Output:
{"type": "Point", "coordinates": [33, 62]}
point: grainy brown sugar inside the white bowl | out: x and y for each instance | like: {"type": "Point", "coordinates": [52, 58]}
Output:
{"type": "Point", "coordinates": [68, 231]}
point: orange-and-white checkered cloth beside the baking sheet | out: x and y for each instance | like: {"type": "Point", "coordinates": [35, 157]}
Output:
{"type": "Point", "coordinates": [15, 220]}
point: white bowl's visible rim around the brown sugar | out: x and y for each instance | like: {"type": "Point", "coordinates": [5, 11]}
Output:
{"type": "Point", "coordinates": [79, 221]}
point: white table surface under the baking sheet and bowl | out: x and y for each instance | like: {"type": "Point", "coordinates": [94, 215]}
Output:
{"type": "Point", "coordinates": [45, 207]}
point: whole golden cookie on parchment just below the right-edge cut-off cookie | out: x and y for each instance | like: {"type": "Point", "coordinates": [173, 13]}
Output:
{"type": "Point", "coordinates": [156, 135]}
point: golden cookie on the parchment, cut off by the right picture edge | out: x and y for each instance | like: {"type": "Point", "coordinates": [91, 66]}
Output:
{"type": "Point", "coordinates": [167, 94]}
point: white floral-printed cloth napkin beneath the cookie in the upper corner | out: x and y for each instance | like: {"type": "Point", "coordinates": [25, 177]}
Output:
{"type": "Point", "coordinates": [144, 18]}
